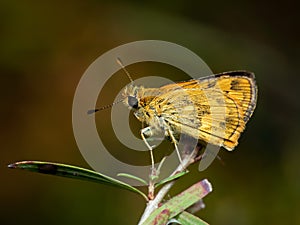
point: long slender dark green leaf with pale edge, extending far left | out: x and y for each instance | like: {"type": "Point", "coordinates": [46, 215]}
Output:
{"type": "Point", "coordinates": [74, 172]}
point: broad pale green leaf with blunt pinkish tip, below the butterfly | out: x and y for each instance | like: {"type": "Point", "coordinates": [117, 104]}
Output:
{"type": "Point", "coordinates": [182, 201]}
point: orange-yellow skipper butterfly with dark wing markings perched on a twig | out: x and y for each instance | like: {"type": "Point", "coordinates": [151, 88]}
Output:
{"type": "Point", "coordinates": [212, 109]}
